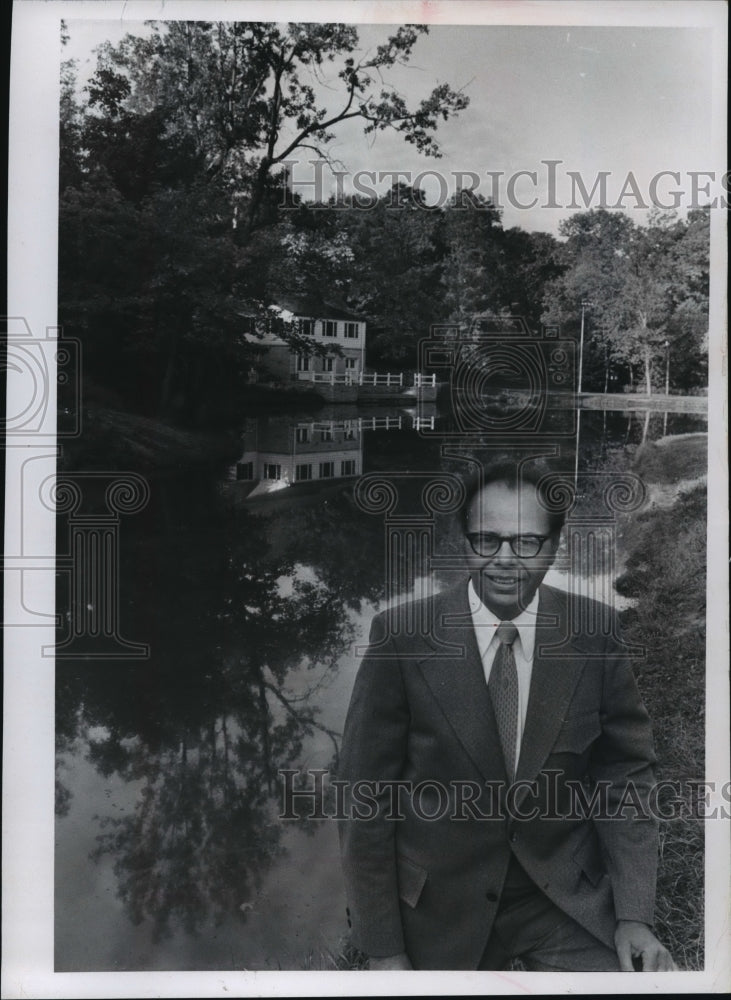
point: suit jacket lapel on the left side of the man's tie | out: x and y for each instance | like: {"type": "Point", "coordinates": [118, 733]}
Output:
{"type": "Point", "coordinates": [458, 684]}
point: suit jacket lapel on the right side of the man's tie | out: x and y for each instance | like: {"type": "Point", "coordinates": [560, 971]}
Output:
{"type": "Point", "coordinates": [553, 680]}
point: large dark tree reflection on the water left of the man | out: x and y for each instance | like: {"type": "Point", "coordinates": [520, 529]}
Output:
{"type": "Point", "coordinates": [243, 643]}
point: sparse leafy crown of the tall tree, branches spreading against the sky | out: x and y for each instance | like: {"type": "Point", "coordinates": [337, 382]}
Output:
{"type": "Point", "coordinates": [246, 94]}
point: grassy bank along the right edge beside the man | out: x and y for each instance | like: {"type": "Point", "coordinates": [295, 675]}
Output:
{"type": "Point", "coordinates": [666, 576]}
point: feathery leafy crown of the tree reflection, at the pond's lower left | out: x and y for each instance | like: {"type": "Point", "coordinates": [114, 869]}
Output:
{"type": "Point", "coordinates": [201, 834]}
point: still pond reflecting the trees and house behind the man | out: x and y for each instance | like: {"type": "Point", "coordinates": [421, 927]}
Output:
{"type": "Point", "coordinates": [254, 590]}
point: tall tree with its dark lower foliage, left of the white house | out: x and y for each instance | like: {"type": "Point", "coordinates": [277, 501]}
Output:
{"type": "Point", "coordinates": [173, 171]}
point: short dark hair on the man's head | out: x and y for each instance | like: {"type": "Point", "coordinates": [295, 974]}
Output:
{"type": "Point", "coordinates": [554, 494]}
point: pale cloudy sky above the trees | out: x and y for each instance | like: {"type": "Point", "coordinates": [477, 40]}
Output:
{"type": "Point", "coordinates": [622, 100]}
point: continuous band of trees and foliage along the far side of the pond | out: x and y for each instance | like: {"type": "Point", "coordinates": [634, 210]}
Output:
{"type": "Point", "coordinates": [176, 224]}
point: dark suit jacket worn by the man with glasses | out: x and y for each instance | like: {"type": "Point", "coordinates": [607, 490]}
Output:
{"type": "Point", "coordinates": [420, 712]}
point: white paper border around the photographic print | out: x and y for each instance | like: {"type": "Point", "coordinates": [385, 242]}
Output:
{"type": "Point", "coordinates": [28, 746]}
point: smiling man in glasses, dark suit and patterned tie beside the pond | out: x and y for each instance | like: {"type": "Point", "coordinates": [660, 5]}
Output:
{"type": "Point", "coordinates": [466, 750]}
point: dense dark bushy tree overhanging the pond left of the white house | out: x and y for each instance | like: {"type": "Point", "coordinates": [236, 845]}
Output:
{"type": "Point", "coordinates": [155, 290]}
